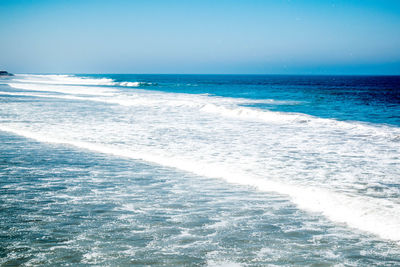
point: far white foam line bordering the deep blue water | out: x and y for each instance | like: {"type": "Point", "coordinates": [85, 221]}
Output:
{"type": "Point", "coordinates": [225, 107]}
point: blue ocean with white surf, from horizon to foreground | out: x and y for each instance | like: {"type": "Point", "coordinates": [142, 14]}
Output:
{"type": "Point", "coordinates": [199, 170]}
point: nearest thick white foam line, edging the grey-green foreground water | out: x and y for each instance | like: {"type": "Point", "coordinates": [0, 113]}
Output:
{"type": "Point", "coordinates": [377, 216]}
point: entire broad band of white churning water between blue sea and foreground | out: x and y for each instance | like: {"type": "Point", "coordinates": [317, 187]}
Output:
{"type": "Point", "coordinates": [343, 170]}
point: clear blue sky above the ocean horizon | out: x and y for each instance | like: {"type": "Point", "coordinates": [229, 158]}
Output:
{"type": "Point", "coordinates": [204, 36]}
